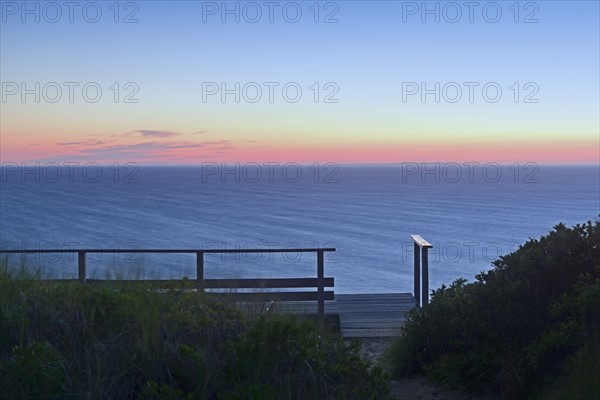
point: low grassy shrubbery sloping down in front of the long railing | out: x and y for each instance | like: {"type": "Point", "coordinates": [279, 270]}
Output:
{"type": "Point", "coordinates": [72, 341]}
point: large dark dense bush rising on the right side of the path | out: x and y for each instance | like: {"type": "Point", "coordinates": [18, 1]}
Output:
{"type": "Point", "coordinates": [516, 327]}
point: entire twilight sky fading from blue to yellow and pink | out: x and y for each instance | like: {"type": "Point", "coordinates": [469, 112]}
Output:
{"type": "Point", "coordinates": [186, 82]}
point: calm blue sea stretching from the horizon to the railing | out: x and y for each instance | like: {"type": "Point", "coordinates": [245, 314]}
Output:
{"type": "Point", "coordinates": [471, 214]}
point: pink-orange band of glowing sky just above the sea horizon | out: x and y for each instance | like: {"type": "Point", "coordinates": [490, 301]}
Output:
{"type": "Point", "coordinates": [551, 151]}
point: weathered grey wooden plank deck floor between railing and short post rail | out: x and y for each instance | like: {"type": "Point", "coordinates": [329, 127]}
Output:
{"type": "Point", "coordinates": [377, 315]}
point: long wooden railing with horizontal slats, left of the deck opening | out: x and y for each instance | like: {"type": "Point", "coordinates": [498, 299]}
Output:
{"type": "Point", "coordinates": [320, 282]}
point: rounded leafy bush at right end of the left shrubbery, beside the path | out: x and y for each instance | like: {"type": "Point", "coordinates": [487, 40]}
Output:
{"type": "Point", "coordinates": [295, 361]}
